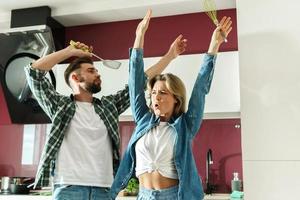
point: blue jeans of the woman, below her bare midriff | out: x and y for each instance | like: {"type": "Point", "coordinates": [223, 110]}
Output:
{"type": "Point", "coordinates": [163, 194]}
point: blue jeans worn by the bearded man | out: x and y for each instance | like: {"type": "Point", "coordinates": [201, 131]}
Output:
{"type": "Point", "coordinates": [76, 192]}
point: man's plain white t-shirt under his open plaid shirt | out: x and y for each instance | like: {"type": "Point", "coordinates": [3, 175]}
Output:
{"type": "Point", "coordinates": [85, 156]}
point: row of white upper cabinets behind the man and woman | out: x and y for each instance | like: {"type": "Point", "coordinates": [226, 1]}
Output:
{"type": "Point", "coordinates": [222, 101]}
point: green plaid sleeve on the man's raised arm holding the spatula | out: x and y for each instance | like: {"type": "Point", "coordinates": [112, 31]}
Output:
{"type": "Point", "coordinates": [42, 89]}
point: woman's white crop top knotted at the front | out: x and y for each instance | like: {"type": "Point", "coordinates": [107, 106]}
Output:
{"type": "Point", "coordinates": [155, 151]}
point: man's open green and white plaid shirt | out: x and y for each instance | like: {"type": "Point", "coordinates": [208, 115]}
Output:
{"type": "Point", "coordinates": [61, 110]}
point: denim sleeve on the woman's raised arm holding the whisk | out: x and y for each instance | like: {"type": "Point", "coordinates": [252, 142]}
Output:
{"type": "Point", "coordinates": [201, 87]}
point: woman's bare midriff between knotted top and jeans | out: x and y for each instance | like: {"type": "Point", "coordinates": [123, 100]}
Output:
{"type": "Point", "coordinates": [156, 181]}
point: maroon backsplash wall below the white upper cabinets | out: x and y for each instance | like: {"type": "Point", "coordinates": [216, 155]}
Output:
{"type": "Point", "coordinates": [219, 135]}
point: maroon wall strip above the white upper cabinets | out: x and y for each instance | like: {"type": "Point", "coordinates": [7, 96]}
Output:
{"type": "Point", "coordinates": [112, 40]}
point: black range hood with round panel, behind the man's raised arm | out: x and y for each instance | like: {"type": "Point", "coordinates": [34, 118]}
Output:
{"type": "Point", "coordinates": [33, 34]}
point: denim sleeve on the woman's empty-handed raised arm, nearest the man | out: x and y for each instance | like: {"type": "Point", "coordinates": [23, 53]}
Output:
{"type": "Point", "coordinates": [136, 84]}
